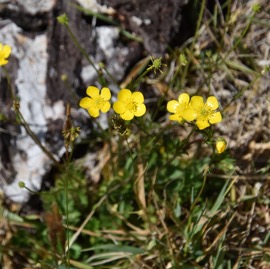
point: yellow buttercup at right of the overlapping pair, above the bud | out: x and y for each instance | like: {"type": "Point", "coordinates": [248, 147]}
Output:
{"type": "Point", "coordinates": [206, 112]}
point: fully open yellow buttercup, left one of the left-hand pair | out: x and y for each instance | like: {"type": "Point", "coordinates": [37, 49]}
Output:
{"type": "Point", "coordinates": [97, 101]}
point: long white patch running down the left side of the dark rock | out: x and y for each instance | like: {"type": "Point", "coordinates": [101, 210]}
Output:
{"type": "Point", "coordinates": [29, 160]}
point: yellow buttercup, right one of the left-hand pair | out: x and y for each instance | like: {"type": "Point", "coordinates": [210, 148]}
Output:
{"type": "Point", "coordinates": [129, 104]}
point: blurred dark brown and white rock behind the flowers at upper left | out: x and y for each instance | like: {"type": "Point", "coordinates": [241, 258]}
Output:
{"type": "Point", "coordinates": [47, 70]}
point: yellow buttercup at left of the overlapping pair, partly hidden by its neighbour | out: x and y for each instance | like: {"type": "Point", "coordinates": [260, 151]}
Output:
{"type": "Point", "coordinates": [181, 109]}
